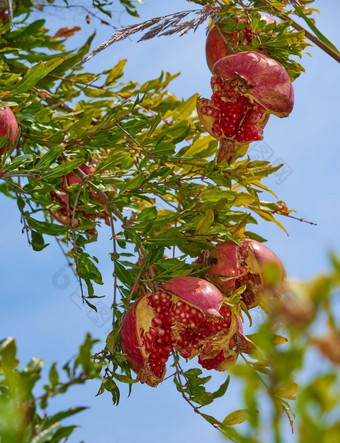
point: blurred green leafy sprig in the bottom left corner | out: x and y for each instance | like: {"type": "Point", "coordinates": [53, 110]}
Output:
{"type": "Point", "coordinates": [23, 415]}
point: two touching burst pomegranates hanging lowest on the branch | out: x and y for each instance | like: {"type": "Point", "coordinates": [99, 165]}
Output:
{"type": "Point", "coordinates": [192, 316]}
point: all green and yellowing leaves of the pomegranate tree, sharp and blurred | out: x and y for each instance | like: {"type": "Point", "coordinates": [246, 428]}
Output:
{"type": "Point", "coordinates": [158, 186]}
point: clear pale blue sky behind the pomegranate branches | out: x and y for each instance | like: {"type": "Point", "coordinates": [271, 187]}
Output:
{"type": "Point", "coordinates": [39, 298]}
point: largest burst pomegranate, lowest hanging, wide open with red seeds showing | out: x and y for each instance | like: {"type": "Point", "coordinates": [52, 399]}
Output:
{"type": "Point", "coordinates": [186, 314]}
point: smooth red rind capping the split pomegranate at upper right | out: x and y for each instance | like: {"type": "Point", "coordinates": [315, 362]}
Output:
{"type": "Point", "coordinates": [269, 82]}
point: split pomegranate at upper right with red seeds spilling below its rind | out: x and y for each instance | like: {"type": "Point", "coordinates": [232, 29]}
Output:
{"type": "Point", "coordinates": [247, 88]}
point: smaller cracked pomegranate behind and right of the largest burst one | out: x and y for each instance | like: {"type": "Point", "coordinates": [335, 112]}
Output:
{"type": "Point", "coordinates": [232, 266]}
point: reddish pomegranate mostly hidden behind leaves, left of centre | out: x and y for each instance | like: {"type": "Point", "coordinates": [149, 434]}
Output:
{"type": "Point", "coordinates": [62, 196]}
